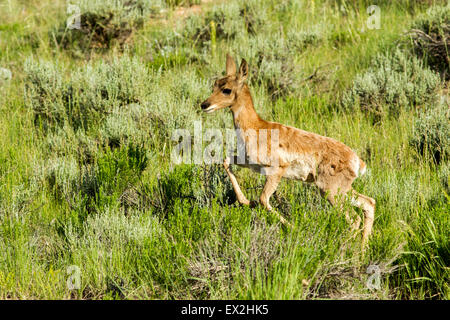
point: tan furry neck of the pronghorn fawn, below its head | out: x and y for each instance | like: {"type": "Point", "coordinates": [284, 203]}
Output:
{"type": "Point", "coordinates": [244, 114]}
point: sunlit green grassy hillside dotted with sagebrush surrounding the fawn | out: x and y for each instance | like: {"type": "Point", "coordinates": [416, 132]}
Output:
{"type": "Point", "coordinates": [93, 207]}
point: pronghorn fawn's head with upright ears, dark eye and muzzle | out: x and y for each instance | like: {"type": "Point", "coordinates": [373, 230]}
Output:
{"type": "Point", "coordinates": [227, 90]}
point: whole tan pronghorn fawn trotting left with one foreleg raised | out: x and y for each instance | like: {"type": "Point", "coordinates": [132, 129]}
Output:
{"type": "Point", "coordinates": [296, 154]}
